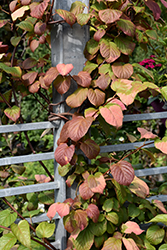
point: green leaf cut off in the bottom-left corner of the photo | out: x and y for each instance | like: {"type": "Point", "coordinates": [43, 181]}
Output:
{"type": "Point", "coordinates": [7, 241]}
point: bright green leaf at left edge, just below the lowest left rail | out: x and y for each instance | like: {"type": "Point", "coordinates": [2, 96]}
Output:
{"type": "Point", "coordinates": [7, 218]}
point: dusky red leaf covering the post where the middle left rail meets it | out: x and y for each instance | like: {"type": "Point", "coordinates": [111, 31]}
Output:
{"type": "Point", "coordinates": [64, 153]}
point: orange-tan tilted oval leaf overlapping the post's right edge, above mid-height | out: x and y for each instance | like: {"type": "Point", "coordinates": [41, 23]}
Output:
{"type": "Point", "coordinates": [77, 98]}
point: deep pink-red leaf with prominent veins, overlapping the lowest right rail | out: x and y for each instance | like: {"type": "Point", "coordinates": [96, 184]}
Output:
{"type": "Point", "coordinates": [122, 172]}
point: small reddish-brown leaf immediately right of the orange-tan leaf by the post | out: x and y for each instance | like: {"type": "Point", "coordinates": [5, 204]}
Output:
{"type": "Point", "coordinates": [96, 97]}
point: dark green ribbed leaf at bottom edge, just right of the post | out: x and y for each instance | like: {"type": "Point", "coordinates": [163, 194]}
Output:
{"type": "Point", "coordinates": [84, 240]}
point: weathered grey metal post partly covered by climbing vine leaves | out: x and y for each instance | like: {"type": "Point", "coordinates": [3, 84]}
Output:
{"type": "Point", "coordinates": [67, 45]}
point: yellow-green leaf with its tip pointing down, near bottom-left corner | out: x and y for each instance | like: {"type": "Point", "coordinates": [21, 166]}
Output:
{"type": "Point", "coordinates": [22, 232]}
